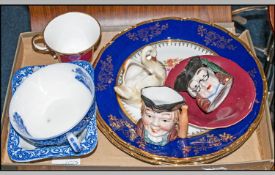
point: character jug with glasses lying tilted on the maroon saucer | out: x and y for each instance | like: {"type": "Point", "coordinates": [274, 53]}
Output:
{"type": "Point", "coordinates": [205, 81]}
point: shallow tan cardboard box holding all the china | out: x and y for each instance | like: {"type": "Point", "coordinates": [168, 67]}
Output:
{"type": "Point", "coordinates": [255, 154]}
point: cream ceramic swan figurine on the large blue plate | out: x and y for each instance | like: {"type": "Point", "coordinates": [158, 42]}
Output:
{"type": "Point", "coordinates": [137, 75]}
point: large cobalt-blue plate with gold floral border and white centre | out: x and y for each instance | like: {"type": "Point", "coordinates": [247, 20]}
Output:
{"type": "Point", "coordinates": [175, 40]}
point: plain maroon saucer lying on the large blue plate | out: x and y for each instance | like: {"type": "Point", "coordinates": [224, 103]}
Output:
{"type": "Point", "coordinates": [233, 109]}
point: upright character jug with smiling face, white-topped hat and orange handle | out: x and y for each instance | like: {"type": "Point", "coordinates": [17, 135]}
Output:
{"type": "Point", "coordinates": [163, 116]}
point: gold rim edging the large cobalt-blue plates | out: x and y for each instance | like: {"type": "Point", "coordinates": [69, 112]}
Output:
{"type": "Point", "coordinates": [155, 159]}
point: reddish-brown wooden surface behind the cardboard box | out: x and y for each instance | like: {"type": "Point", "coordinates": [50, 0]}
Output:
{"type": "Point", "coordinates": [122, 16]}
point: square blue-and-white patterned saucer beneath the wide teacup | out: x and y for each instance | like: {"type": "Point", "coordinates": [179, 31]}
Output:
{"type": "Point", "coordinates": [20, 150]}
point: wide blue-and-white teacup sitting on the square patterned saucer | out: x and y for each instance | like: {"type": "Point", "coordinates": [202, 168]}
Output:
{"type": "Point", "coordinates": [54, 104]}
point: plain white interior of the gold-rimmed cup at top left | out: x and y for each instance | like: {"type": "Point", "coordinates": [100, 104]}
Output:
{"type": "Point", "coordinates": [72, 32]}
